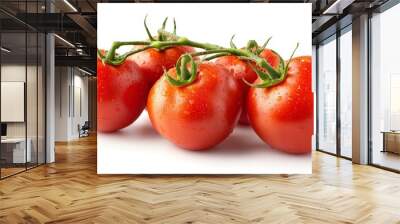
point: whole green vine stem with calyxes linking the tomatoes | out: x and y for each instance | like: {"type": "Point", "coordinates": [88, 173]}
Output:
{"type": "Point", "coordinates": [270, 76]}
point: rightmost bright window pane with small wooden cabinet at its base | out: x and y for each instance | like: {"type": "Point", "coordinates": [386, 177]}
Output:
{"type": "Point", "coordinates": [385, 89]}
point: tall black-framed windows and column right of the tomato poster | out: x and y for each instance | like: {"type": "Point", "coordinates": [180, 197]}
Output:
{"type": "Point", "coordinates": [336, 66]}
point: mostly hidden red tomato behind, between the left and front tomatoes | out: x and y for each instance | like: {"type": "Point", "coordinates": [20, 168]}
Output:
{"type": "Point", "coordinates": [152, 62]}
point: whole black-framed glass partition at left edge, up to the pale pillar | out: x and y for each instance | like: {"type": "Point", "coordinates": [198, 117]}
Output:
{"type": "Point", "coordinates": [22, 67]}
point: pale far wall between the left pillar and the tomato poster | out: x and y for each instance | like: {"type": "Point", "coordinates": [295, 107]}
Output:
{"type": "Point", "coordinates": [70, 83]}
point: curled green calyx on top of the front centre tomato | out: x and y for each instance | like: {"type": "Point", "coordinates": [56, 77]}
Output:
{"type": "Point", "coordinates": [183, 75]}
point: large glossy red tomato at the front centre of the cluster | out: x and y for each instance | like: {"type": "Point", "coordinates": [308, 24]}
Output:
{"type": "Point", "coordinates": [200, 115]}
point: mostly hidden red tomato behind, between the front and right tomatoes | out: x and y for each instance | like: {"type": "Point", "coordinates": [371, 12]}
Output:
{"type": "Point", "coordinates": [241, 69]}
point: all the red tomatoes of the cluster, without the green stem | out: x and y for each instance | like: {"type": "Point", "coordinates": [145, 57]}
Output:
{"type": "Point", "coordinates": [203, 113]}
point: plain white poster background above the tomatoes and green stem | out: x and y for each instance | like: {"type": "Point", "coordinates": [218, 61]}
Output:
{"type": "Point", "coordinates": [214, 23]}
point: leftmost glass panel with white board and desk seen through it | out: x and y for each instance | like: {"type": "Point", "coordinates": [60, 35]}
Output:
{"type": "Point", "coordinates": [13, 94]}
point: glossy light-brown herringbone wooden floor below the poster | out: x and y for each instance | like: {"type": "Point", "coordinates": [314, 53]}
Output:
{"type": "Point", "coordinates": [70, 191]}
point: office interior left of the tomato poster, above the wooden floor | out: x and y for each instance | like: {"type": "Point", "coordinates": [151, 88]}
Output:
{"type": "Point", "coordinates": [47, 81]}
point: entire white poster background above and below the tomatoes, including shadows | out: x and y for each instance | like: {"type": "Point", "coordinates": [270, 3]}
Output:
{"type": "Point", "coordinates": [138, 149]}
